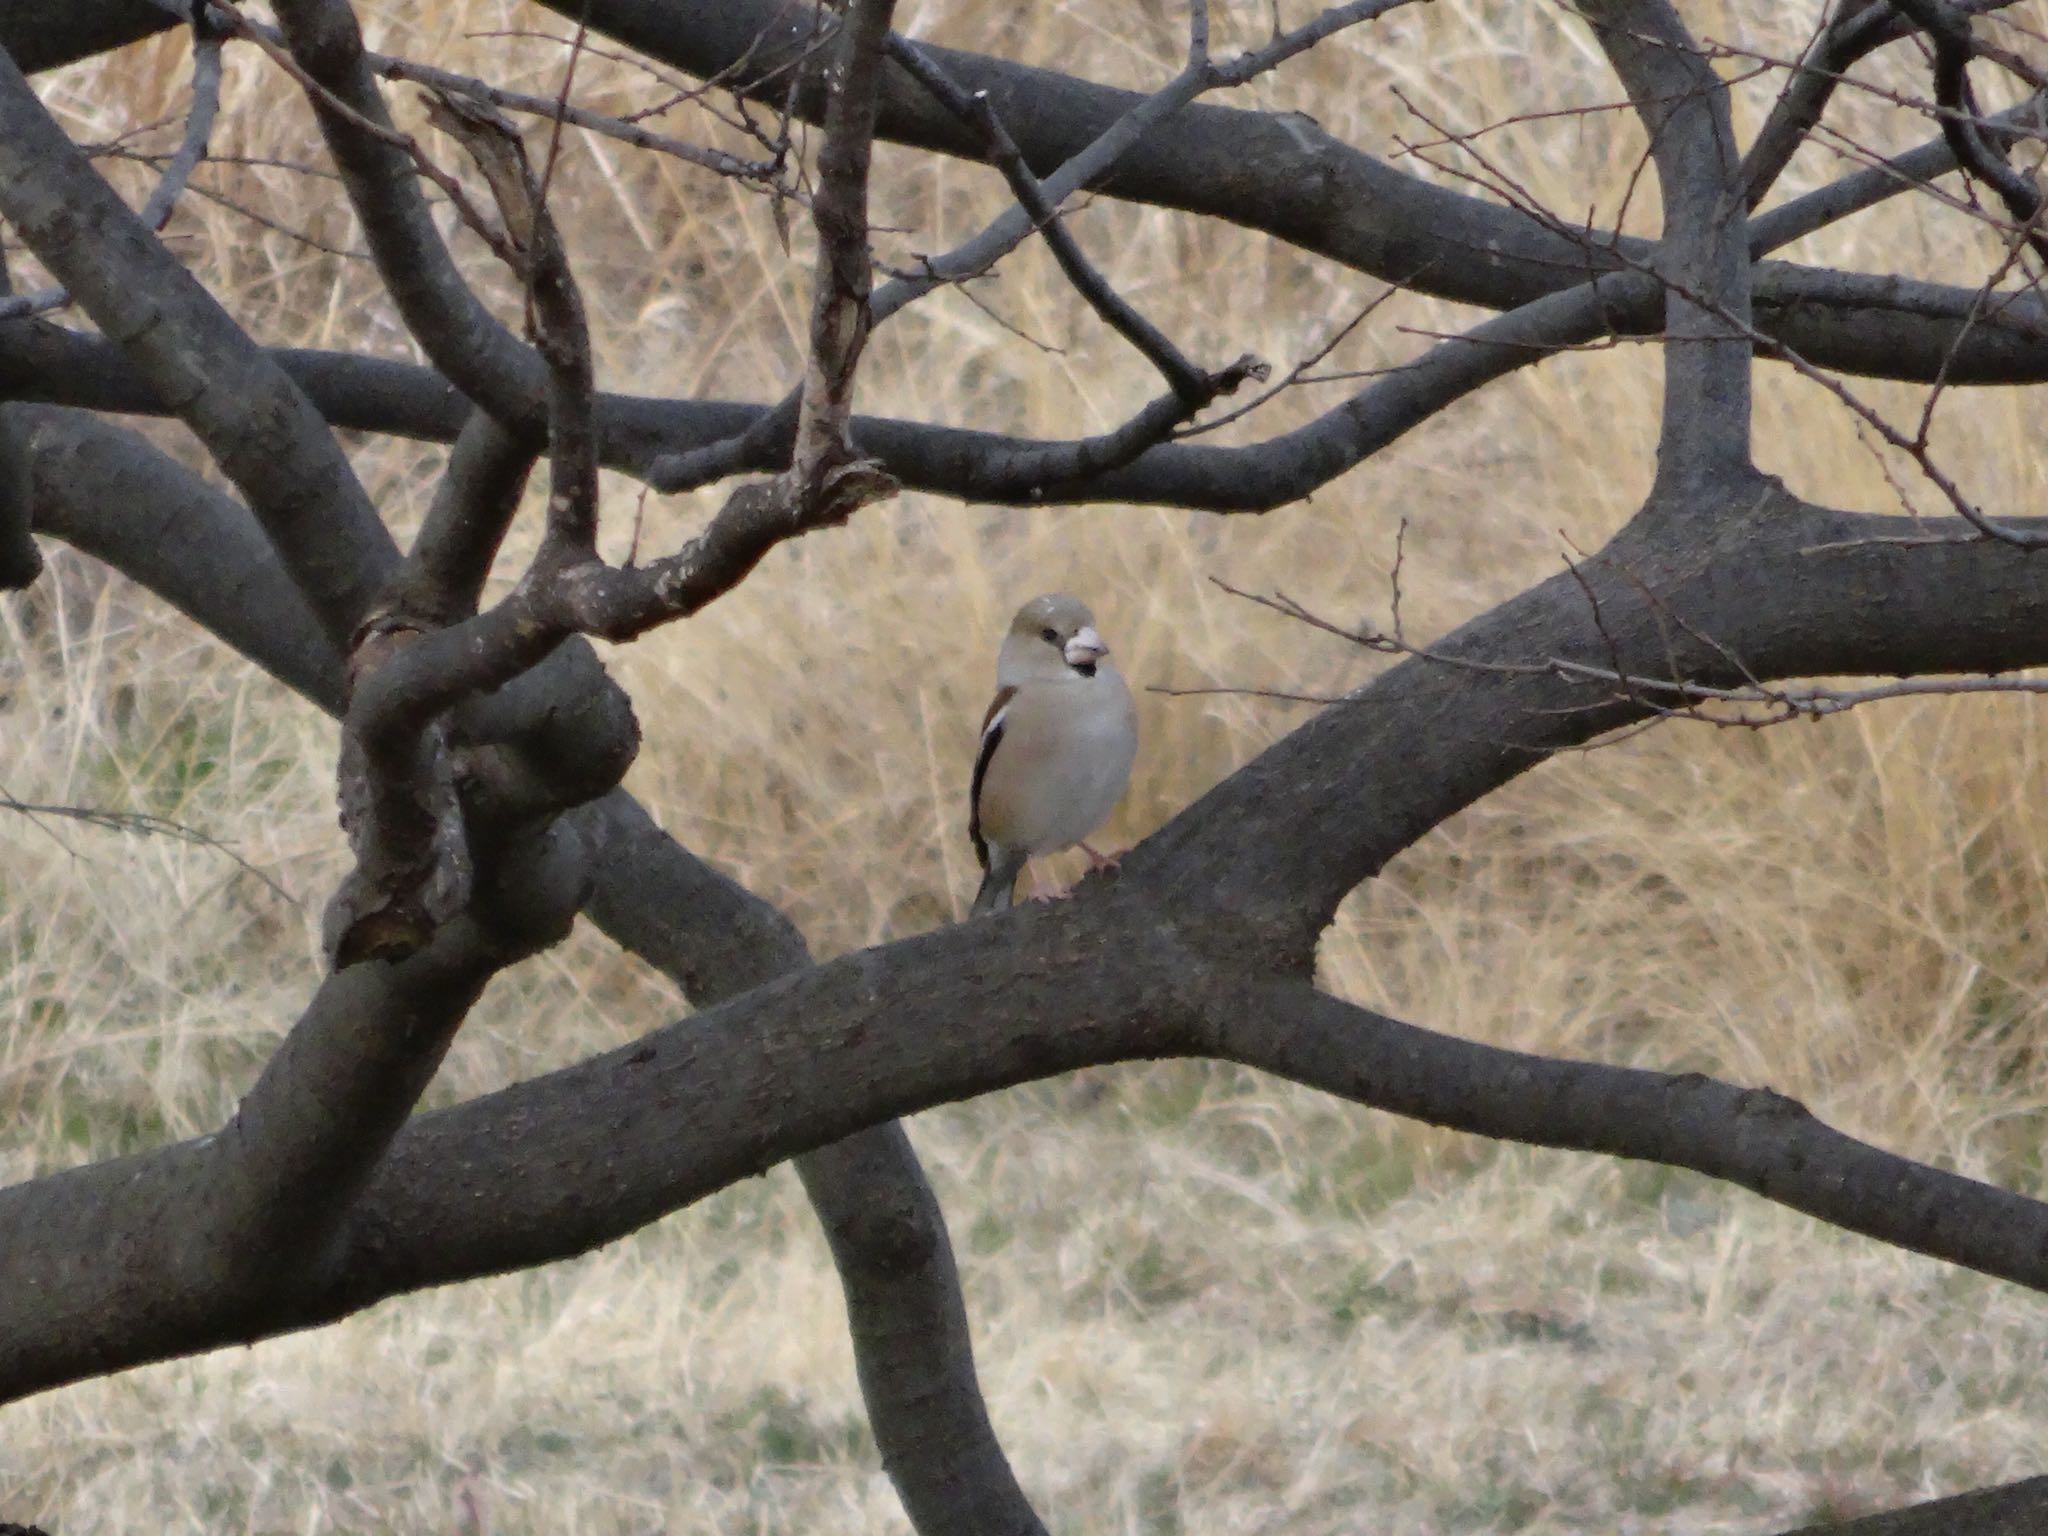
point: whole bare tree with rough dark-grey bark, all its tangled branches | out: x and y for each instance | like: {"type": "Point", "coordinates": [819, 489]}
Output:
{"type": "Point", "coordinates": [327, 1193]}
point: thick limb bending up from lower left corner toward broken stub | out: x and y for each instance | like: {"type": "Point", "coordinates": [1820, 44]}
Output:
{"type": "Point", "coordinates": [218, 1234]}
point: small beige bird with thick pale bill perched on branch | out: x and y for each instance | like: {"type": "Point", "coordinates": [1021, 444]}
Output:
{"type": "Point", "coordinates": [1056, 746]}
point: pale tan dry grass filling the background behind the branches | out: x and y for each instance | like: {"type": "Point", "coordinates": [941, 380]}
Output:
{"type": "Point", "coordinates": [1205, 1302]}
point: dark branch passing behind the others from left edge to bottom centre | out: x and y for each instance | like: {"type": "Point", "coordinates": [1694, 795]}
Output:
{"type": "Point", "coordinates": [570, 728]}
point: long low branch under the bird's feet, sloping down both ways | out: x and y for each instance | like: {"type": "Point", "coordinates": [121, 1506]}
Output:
{"type": "Point", "coordinates": [812, 1060]}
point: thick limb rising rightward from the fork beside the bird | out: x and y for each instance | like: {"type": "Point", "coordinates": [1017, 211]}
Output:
{"type": "Point", "coordinates": [1842, 601]}
